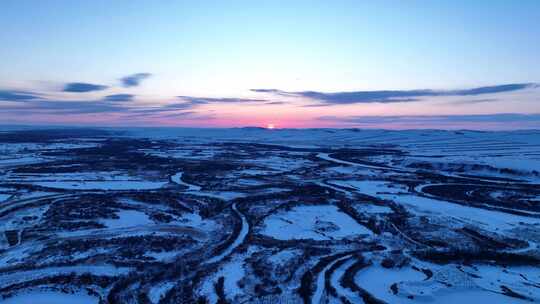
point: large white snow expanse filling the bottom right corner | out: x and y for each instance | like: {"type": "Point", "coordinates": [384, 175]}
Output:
{"type": "Point", "coordinates": [450, 283]}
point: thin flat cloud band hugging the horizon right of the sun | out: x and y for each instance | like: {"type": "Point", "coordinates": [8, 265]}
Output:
{"type": "Point", "coordinates": [434, 119]}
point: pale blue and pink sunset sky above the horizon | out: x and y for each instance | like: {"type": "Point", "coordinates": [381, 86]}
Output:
{"type": "Point", "coordinates": [293, 64]}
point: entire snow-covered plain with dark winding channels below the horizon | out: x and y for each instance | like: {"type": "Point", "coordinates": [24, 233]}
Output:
{"type": "Point", "coordinates": [270, 216]}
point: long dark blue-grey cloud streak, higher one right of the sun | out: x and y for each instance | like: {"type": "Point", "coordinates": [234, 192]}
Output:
{"type": "Point", "coordinates": [392, 96]}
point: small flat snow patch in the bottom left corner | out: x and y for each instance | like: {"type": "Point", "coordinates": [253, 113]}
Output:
{"type": "Point", "coordinates": [50, 297]}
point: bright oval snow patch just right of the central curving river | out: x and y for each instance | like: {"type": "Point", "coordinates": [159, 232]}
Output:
{"type": "Point", "coordinates": [323, 222]}
